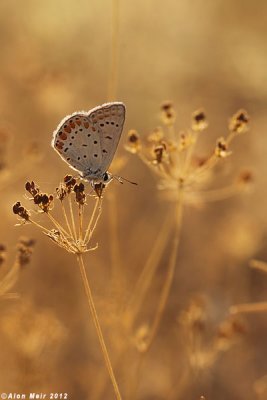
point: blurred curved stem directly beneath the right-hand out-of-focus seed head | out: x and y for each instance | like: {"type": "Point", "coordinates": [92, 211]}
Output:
{"type": "Point", "coordinates": [170, 274]}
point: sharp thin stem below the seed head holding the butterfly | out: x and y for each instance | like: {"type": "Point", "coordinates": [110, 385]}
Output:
{"type": "Point", "coordinates": [97, 326]}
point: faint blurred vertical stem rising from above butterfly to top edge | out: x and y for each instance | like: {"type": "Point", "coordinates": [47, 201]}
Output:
{"type": "Point", "coordinates": [113, 77]}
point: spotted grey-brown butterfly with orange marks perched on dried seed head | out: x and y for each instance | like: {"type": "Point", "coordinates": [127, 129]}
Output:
{"type": "Point", "coordinates": [87, 141]}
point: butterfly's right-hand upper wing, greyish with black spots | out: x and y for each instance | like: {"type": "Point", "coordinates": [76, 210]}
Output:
{"type": "Point", "coordinates": [108, 120]}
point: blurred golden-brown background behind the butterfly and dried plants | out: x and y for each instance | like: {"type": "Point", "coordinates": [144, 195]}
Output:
{"type": "Point", "coordinates": [56, 58]}
